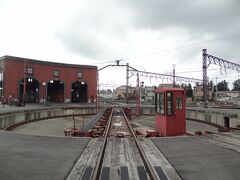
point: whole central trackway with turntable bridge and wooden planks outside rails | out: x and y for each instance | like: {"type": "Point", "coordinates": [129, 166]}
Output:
{"type": "Point", "coordinates": [116, 153]}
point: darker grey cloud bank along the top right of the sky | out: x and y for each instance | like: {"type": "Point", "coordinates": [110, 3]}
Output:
{"type": "Point", "coordinates": [201, 15]}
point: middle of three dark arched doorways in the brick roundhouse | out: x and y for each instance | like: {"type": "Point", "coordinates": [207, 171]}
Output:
{"type": "Point", "coordinates": [55, 91]}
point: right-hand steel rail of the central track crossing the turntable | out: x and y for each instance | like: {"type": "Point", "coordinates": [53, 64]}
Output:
{"type": "Point", "coordinates": [148, 166]}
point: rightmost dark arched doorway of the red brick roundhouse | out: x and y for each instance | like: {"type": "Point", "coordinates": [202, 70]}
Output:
{"type": "Point", "coordinates": [79, 92]}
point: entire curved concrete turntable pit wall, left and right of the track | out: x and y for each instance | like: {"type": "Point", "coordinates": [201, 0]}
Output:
{"type": "Point", "coordinates": [28, 116]}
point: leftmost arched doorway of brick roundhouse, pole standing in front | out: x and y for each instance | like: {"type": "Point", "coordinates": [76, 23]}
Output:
{"type": "Point", "coordinates": [32, 90]}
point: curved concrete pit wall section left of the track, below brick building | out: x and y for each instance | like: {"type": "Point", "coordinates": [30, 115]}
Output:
{"type": "Point", "coordinates": [12, 119]}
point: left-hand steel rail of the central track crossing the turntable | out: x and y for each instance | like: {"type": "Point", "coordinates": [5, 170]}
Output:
{"type": "Point", "coordinates": [98, 167]}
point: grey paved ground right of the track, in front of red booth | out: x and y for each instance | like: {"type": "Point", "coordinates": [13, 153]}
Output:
{"type": "Point", "coordinates": [197, 158]}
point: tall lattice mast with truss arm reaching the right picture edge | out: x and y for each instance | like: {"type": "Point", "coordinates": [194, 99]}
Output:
{"type": "Point", "coordinates": [208, 59]}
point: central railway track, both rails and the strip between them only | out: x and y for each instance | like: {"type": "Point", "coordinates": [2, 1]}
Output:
{"type": "Point", "coordinates": [119, 130]}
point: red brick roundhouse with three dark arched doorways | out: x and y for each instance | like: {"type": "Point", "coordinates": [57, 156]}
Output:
{"type": "Point", "coordinates": [46, 81]}
